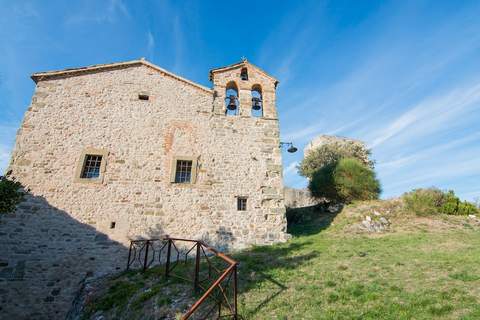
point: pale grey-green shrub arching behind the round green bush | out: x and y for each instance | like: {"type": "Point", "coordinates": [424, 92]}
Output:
{"type": "Point", "coordinates": [331, 152]}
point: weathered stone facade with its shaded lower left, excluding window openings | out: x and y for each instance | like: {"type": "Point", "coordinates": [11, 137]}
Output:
{"type": "Point", "coordinates": [63, 232]}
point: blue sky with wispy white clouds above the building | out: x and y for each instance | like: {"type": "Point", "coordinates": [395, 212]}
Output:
{"type": "Point", "coordinates": [404, 76]}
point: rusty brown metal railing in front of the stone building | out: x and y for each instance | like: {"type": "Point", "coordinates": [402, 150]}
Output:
{"type": "Point", "coordinates": [214, 274]}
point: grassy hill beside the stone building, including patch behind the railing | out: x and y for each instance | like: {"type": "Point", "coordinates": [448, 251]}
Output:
{"type": "Point", "coordinates": [420, 268]}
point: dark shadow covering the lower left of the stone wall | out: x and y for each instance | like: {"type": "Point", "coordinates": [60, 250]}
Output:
{"type": "Point", "coordinates": [46, 255]}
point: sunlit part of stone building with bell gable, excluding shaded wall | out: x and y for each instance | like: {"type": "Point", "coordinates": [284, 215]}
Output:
{"type": "Point", "coordinates": [133, 150]}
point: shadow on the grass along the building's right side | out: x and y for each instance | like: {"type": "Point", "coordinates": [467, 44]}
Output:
{"type": "Point", "coordinates": [260, 268]}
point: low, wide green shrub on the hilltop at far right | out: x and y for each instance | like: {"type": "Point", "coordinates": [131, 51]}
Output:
{"type": "Point", "coordinates": [424, 202]}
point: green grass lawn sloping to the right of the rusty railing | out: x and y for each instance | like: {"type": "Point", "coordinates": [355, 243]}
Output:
{"type": "Point", "coordinates": [324, 274]}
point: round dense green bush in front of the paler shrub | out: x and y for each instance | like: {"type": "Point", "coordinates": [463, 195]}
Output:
{"type": "Point", "coordinates": [345, 181]}
